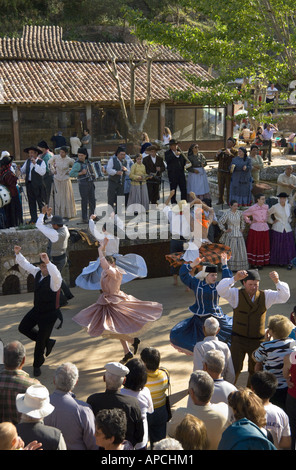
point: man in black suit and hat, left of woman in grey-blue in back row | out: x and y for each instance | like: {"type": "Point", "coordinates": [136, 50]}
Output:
{"type": "Point", "coordinates": [176, 162]}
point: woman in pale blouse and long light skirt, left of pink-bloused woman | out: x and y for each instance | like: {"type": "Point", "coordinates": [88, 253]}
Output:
{"type": "Point", "coordinates": [232, 225]}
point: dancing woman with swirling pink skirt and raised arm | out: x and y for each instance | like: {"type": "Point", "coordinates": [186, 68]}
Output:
{"type": "Point", "coordinates": [117, 314]}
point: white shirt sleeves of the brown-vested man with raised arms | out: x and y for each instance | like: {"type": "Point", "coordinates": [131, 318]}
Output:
{"type": "Point", "coordinates": [226, 290]}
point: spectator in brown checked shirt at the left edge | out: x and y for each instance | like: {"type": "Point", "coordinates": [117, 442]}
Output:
{"type": "Point", "coordinates": [13, 380]}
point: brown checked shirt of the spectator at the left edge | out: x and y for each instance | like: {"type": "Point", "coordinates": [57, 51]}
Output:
{"type": "Point", "coordinates": [13, 382]}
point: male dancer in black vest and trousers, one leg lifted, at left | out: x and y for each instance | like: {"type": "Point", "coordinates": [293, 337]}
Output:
{"type": "Point", "coordinates": [38, 323]}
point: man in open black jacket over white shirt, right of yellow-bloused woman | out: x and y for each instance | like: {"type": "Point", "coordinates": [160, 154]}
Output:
{"type": "Point", "coordinates": [155, 166]}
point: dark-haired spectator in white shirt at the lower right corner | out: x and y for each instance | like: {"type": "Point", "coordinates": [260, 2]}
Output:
{"type": "Point", "coordinates": [264, 384]}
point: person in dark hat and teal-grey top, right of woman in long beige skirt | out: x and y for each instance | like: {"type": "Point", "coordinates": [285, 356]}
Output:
{"type": "Point", "coordinates": [83, 171]}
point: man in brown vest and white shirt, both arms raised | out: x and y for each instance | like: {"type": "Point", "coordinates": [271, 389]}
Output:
{"type": "Point", "coordinates": [250, 305]}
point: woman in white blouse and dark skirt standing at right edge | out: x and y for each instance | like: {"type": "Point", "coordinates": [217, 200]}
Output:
{"type": "Point", "coordinates": [282, 244]}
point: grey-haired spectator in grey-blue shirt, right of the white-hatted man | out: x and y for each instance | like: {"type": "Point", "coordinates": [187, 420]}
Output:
{"type": "Point", "coordinates": [73, 417]}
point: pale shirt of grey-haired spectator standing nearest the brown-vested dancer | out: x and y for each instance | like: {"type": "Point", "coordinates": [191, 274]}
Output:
{"type": "Point", "coordinates": [208, 344]}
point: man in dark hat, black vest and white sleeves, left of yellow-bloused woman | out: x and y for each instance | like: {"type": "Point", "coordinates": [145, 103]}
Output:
{"type": "Point", "coordinates": [117, 170]}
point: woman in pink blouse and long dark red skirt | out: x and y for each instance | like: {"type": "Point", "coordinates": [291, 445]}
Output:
{"type": "Point", "coordinates": [258, 240]}
